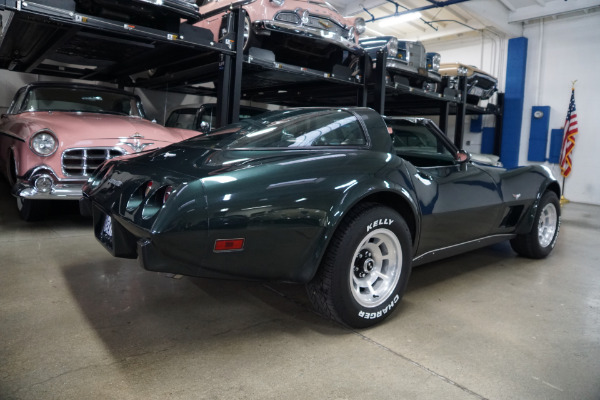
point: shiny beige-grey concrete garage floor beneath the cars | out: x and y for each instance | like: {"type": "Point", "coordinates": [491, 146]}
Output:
{"type": "Point", "coordinates": [76, 323]}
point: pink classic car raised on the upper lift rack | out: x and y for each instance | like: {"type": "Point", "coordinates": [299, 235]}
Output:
{"type": "Point", "coordinates": [299, 32]}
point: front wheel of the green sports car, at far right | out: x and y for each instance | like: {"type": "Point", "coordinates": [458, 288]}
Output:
{"type": "Point", "coordinates": [540, 241]}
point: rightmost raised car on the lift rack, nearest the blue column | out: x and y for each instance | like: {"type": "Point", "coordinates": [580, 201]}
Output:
{"type": "Point", "coordinates": [480, 84]}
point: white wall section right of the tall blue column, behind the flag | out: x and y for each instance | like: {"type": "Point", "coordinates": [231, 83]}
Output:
{"type": "Point", "coordinates": [570, 50]}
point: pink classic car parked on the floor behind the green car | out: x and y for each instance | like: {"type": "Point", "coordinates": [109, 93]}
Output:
{"type": "Point", "coordinates": [54, 135]}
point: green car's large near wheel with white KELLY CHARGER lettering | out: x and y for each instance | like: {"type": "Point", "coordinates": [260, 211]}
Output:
{"type": "Point", "coordinates": [365, 270]}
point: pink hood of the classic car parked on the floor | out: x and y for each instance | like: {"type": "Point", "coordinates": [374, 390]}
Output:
{"type": "Point", "coordinates": [90, 126]}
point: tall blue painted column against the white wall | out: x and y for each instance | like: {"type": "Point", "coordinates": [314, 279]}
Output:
{"type": "Point", "coordinates": [513, 101]}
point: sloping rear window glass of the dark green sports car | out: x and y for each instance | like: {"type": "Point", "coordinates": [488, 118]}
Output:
{"type": "Point", "coordinates": [290, 128]}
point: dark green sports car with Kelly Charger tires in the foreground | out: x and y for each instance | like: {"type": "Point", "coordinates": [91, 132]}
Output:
{"type": "Point", "coordinates": [331, 197]}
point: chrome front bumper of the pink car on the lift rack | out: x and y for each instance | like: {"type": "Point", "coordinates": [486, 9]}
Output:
{"type": "Point", "coordinates": [266, 26]}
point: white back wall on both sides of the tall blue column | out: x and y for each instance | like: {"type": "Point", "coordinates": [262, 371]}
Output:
{"type": "Point", "coordinates": [570, 50]}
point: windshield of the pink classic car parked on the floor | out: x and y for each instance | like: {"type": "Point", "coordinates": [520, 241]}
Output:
{"type": "Point", "coordinates": [75, 99]}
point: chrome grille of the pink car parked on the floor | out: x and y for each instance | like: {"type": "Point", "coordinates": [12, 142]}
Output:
{"type": "Point", "coordinates": [82, 162]}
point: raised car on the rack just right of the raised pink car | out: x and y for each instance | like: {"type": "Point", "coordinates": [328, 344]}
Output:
{"type": "Point", "coordinates": [407, 62]}
